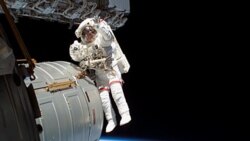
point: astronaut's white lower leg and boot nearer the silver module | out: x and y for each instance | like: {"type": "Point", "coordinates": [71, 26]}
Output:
{"type": "Point", "coordinates": [108, 111]}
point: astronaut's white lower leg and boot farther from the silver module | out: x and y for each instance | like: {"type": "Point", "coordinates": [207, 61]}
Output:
{"type": "Point", "coordinates": [119, 98]}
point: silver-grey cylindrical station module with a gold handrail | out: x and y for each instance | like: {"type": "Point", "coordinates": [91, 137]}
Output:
{"type": "Point", "coordinates": [70, 108]}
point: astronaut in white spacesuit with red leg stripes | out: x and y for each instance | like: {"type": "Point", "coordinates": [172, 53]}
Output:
{"type": "Point", "coordinates": [99, 51]}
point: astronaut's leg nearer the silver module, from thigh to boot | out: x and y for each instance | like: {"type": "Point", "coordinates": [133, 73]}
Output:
{"type": "Point", "coordinates": [110, 116]}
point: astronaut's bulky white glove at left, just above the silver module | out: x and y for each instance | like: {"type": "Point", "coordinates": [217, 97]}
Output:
{"type": "Point", "coordinates": [77, 51]}
